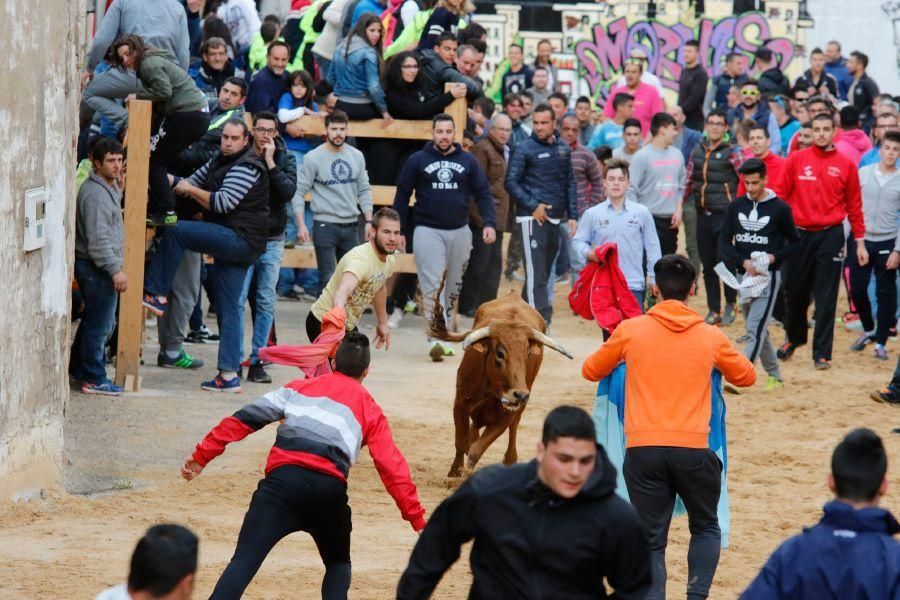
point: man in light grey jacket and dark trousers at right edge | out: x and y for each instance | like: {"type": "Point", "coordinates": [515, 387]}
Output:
{"type": "Point", "coordinates": [881, 209]}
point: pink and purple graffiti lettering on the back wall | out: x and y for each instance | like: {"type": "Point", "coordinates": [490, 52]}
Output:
{"type": "Point", "coordinates": [602, 58]}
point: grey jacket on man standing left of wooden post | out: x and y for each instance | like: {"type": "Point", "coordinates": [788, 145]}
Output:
{"type": "Point", "coordinates": [99, 232]}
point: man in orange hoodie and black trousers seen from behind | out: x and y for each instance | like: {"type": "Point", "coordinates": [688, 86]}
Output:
{"type": "Point", "coordinates": [668, 405]}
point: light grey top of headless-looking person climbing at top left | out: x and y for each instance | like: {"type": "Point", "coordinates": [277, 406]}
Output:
{"type": "Point", "coordinates": [162, 24]}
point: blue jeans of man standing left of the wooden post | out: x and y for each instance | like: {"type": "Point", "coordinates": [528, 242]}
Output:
{"type": "Point", "coordinates": [87, 361]}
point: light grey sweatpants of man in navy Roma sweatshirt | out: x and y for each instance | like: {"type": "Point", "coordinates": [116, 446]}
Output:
{"type": "Point", "coordinates": [439, 251]}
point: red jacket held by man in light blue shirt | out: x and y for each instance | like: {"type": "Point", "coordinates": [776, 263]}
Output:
{"type": "Point", "coordinates": [601, 292]}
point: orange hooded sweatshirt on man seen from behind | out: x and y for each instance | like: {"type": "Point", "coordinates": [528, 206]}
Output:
{"type": "Point", "coordinates": [670, 354]}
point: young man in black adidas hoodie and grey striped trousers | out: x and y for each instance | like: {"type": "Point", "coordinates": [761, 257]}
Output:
{"type": "Point", "coordinates": [758, 221]}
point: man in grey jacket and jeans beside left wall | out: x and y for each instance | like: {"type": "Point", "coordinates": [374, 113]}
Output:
{"type": "Point", "coordinates": [99, 254]}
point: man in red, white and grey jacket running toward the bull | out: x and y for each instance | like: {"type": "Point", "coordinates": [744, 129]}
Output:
{"type": "Point", "coordinates": [326, 420]}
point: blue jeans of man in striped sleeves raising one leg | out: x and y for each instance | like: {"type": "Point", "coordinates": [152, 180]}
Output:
{"type": "Point", "coordinates": [233, 256]}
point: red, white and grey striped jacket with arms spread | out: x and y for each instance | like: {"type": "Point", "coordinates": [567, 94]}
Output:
{"type": "Point", "coordinates": [326, 421]}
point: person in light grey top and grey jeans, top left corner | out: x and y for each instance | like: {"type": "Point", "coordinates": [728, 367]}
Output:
{"type": "Point", "coordinates": [161, 23]}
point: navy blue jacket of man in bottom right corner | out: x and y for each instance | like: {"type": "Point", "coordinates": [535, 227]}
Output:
{"type": "Point", "coordinates": [849, 554]}
